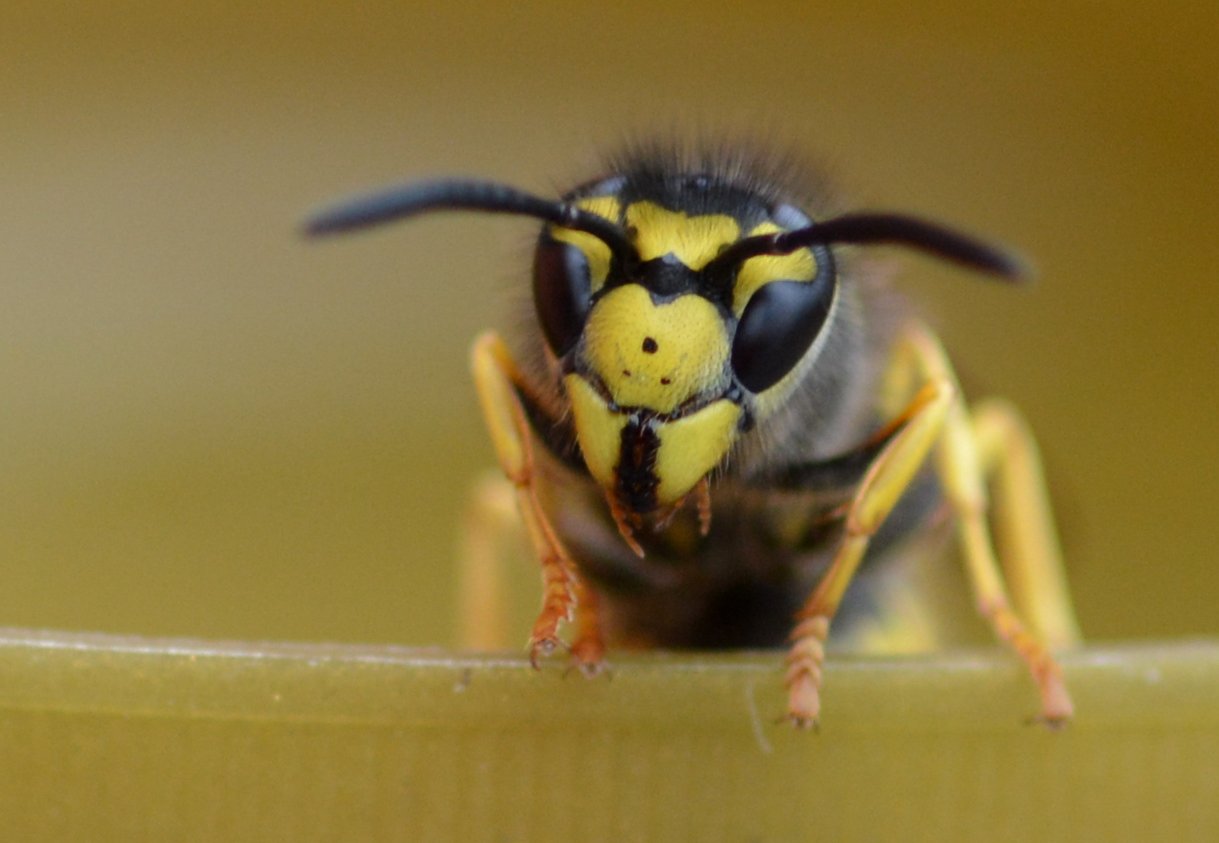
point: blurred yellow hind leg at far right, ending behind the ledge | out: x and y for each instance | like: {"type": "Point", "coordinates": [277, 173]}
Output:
{"type": "Point", "coordinates": [1025, 523]}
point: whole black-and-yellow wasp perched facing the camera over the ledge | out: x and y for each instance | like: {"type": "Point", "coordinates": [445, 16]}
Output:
{"type": "Point", "coordinates": [717, 416]}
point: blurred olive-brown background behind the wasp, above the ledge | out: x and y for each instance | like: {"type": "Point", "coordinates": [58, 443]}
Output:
{"type": "Point", "coordinates": [211, 428]}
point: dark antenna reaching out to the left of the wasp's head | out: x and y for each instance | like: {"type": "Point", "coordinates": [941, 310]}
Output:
{"type": "Point", "coordinates": [419, 198]}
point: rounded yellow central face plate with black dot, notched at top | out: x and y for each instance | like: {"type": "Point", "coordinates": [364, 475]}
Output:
{"type": "Point", "coordinates": [656, 356]}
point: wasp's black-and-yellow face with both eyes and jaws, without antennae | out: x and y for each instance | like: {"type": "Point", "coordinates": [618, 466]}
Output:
{"type": "Point", "coordinates": [665, 350]}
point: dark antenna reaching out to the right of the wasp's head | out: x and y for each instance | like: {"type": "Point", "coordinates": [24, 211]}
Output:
{"type": "Point", "coordinates": [889, 230]}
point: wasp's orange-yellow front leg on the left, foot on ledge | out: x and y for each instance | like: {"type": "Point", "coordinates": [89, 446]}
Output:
{"type": "Point", "coordinates": [502, 392]}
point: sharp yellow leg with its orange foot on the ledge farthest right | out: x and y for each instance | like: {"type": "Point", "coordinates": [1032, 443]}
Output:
{"type": "Point", "coordinates": [961, 472]}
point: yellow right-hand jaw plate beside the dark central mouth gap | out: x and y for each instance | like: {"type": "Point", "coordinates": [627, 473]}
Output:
{"type": "Point", "coordinates": [693, 446]}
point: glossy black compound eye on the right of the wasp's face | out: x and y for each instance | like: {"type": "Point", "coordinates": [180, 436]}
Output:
{"type": "Point", "coordinates": [780, 325]}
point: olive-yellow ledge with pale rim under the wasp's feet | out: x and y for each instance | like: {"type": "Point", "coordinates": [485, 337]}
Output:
{"type": "Point", "coordinates": [113, 739]}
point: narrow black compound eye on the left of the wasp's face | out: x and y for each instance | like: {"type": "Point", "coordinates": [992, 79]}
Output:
{"type": "Point", "coordinates": [563, 292]}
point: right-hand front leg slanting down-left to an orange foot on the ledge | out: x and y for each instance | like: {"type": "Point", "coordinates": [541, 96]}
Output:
{"type": "Point", "coordinates": [883, 484]}
